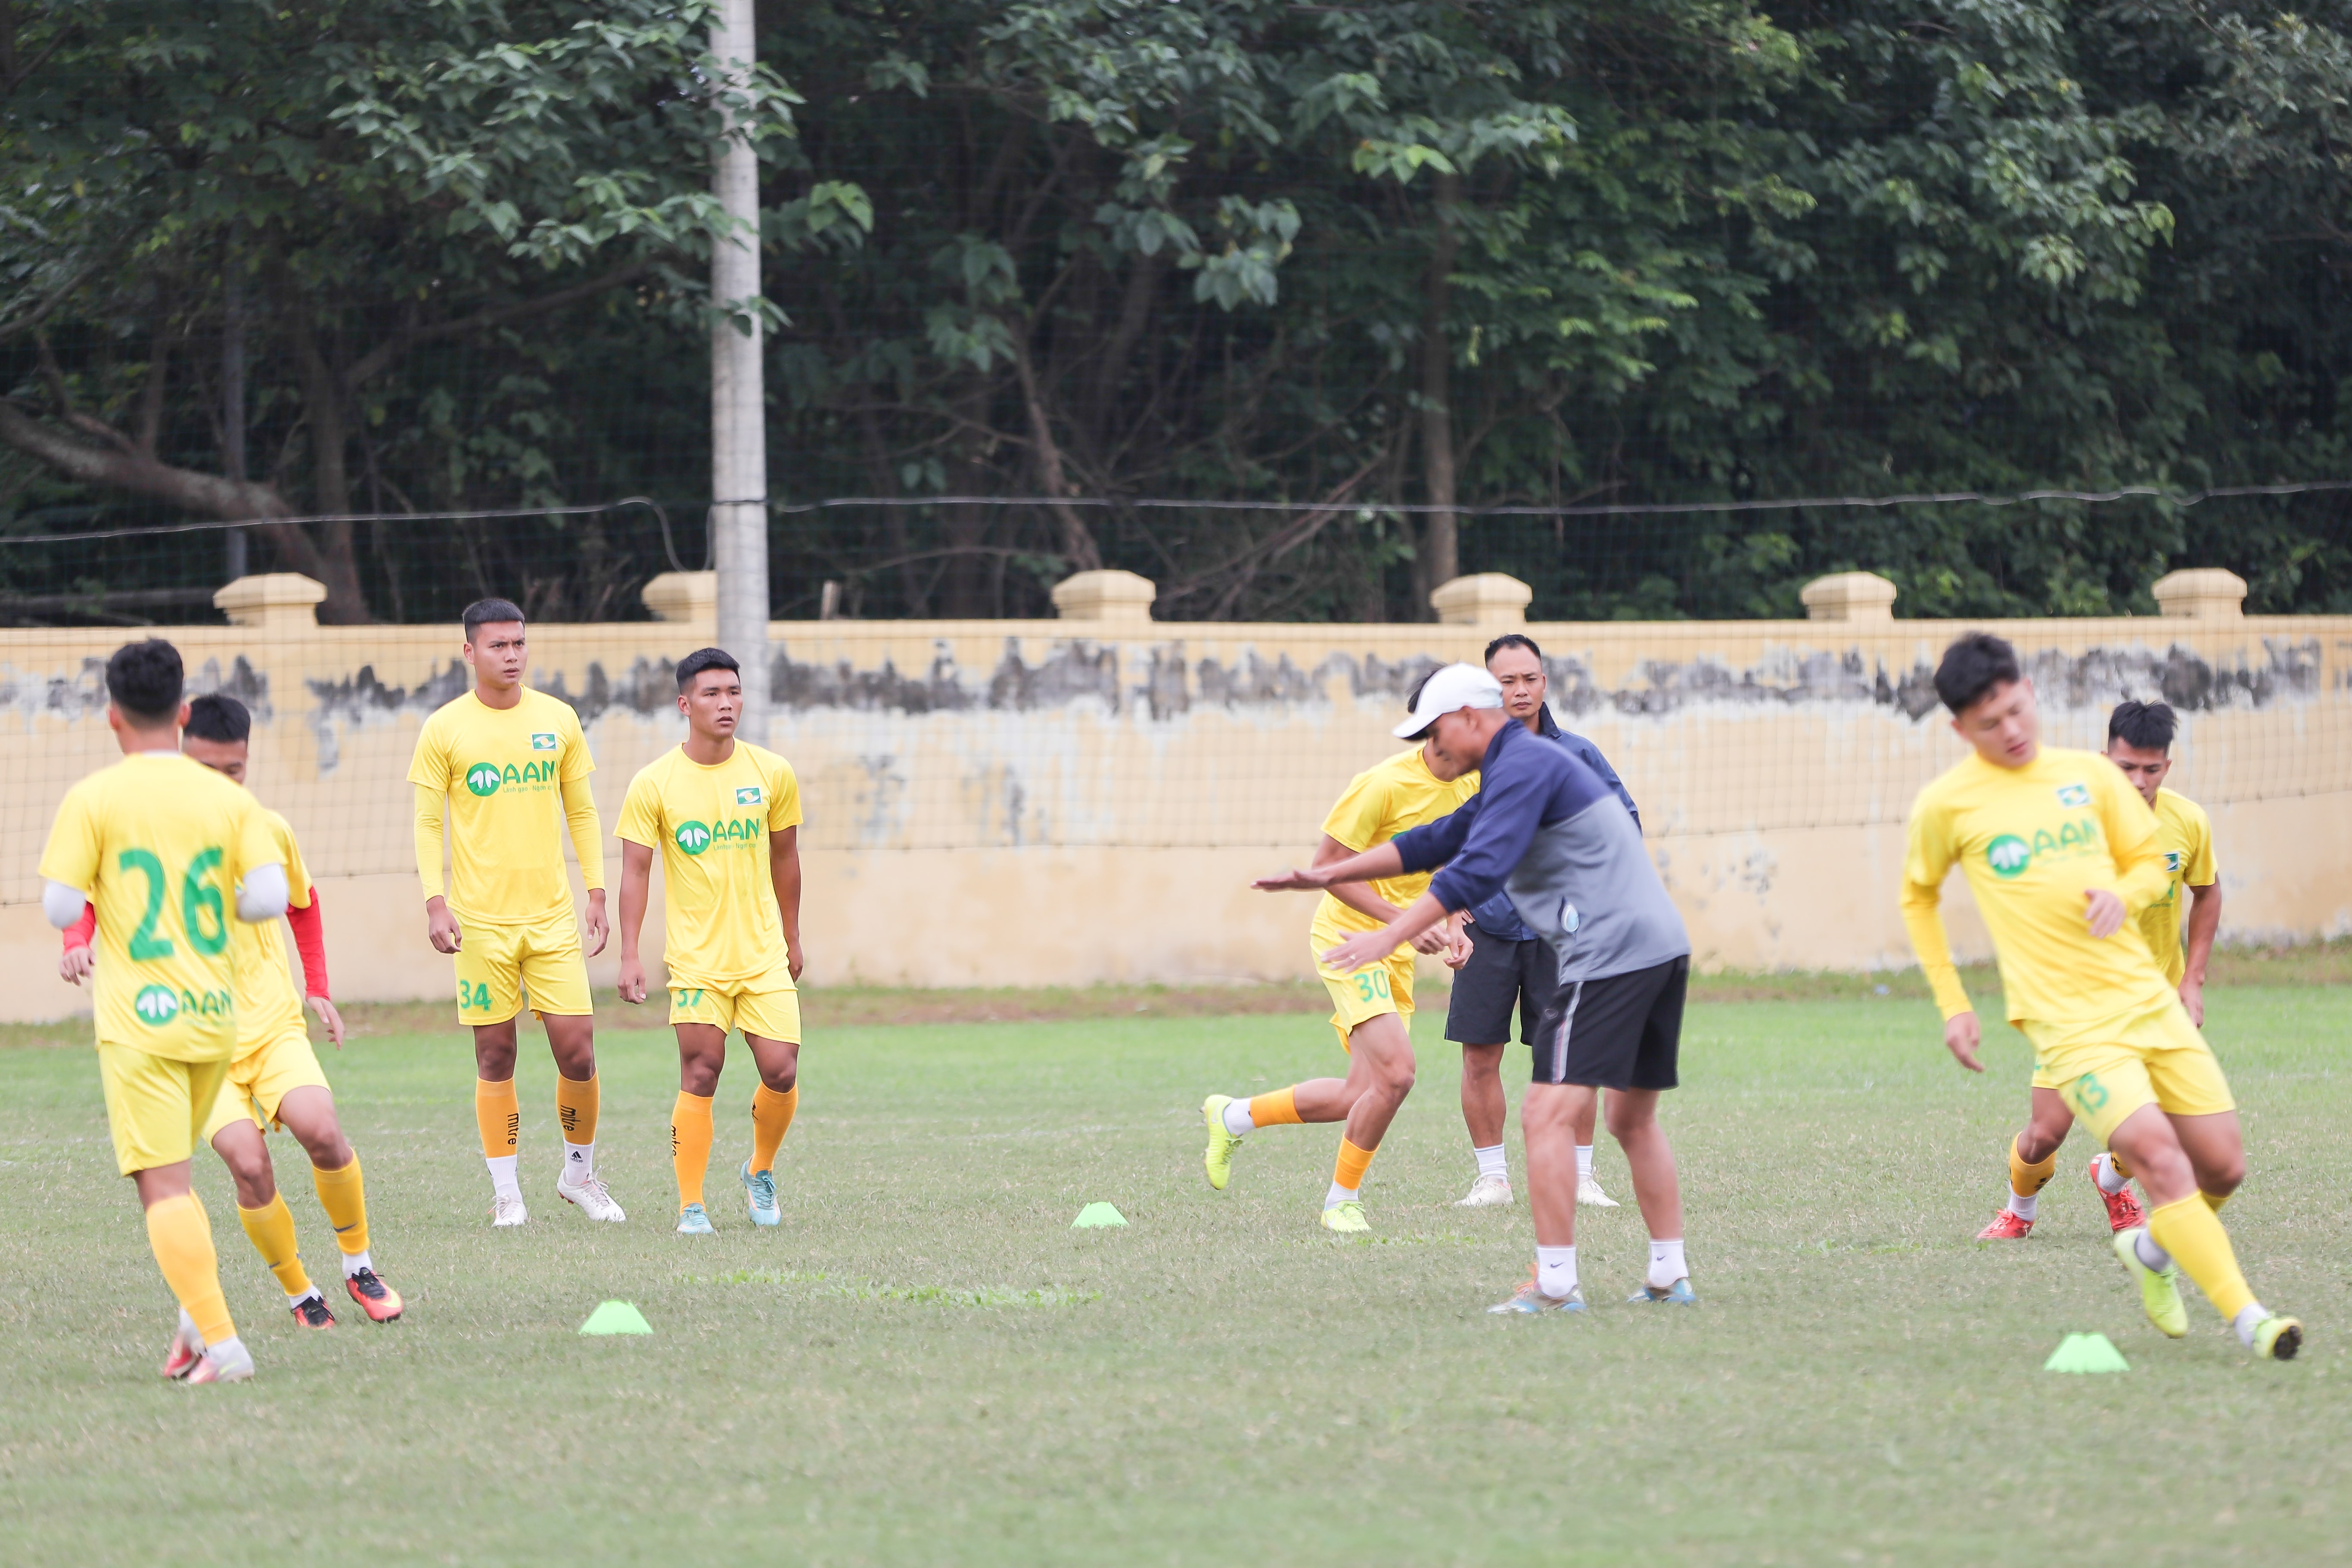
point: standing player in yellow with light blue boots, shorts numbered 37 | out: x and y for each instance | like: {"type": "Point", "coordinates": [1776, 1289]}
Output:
{"type": "Point", "coordinates": [726, 819]}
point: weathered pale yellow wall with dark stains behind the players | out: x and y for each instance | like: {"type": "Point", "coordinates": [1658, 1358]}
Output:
{"type": "Point", "coordinates": [1062, 803]}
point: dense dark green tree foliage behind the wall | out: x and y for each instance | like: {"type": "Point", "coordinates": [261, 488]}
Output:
{"type": "Point", "coordinates": [1342, 257]}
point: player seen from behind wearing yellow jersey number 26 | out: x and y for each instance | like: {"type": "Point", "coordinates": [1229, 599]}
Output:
{"type": "Point", "coordinates": [171, 855]}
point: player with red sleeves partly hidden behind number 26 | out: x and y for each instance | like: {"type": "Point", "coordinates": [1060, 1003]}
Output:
{"type": "Point", "coordinates": [276, 1080]}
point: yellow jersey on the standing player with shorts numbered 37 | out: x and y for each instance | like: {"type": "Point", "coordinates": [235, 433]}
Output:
{"type": "Point", "coordinates": [714, 829]}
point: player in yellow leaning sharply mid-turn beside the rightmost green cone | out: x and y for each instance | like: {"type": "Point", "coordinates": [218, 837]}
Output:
{"type": "Point", "coordinates": [2062, 855]}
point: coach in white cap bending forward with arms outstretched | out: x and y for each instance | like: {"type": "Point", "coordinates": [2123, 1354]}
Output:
{"type": "Point", "coordinates": [1558, 838]}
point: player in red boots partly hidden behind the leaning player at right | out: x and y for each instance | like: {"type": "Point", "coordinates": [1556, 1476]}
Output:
{"type": "Point", "coordinates": [2139, 742]}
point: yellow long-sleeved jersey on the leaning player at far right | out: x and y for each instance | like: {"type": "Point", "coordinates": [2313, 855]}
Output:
{"type": "Point", "coordinates": [2033, 843]}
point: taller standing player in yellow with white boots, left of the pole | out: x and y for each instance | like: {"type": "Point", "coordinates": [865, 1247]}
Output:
{"type": "Point", "coordinates": [495, 765]}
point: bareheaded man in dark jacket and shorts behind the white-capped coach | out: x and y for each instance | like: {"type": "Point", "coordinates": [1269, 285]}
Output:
{"type": "Point", "coordinates": [1509, 965]}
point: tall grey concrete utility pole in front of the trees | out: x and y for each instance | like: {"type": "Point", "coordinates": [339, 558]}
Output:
{"type": "Point", "coordinates": [740, 394]}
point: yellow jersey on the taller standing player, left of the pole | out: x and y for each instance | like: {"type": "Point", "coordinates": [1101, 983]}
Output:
{"type": "Point", "coordinates": [505, 772]}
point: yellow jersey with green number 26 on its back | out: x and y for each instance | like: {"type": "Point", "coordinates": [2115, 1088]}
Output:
{"type": "Point", "coordinates": [159, 845]}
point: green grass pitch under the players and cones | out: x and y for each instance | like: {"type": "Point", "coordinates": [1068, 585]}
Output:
{"type": "Point", "coordinates": [928, 1365]}
